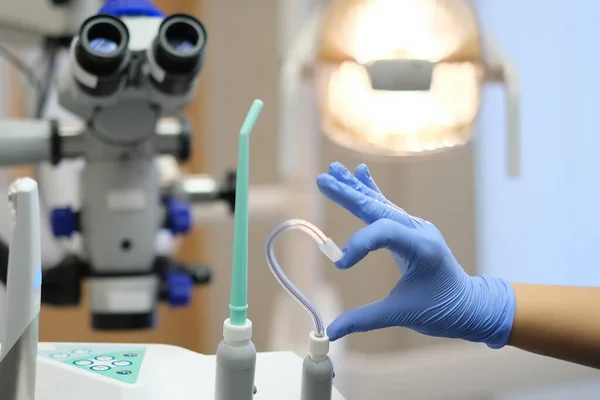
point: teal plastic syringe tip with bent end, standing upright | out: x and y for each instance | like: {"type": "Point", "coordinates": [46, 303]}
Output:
{"type": "Point", "coordinates": [238, 305]}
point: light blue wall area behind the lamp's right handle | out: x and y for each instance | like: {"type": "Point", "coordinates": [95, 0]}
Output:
{"type": "Point", "coordinates": [544, 227]}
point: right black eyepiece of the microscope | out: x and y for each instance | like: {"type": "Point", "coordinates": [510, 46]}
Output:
{"type": "Point", "coordinates": [178, 53]}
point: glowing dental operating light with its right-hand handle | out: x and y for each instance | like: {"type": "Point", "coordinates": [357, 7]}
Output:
{"type": "Point", "coordinates": [400, 78]}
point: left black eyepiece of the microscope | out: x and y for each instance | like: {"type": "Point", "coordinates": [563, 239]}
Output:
{"type": "Point", "coordinates": [101, 54]}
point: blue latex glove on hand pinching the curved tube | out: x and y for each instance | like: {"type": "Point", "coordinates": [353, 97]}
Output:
{"type": "Point", "coordinates": [435, 296]}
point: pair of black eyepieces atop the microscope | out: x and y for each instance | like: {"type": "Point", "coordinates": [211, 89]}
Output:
{"type": "Point", "coordinates": [173, 60]}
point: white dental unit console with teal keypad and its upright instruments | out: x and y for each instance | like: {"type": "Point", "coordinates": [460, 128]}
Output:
{"type": "Point", "coordinates": [75, 371]}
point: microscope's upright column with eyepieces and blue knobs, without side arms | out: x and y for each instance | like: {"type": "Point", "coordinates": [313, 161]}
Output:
{"type": "Point", "coordinates": [112, 85]}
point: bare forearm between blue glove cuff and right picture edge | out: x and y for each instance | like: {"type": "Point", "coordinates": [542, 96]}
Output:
{"type": "Point", "coordinates": [558, 321]}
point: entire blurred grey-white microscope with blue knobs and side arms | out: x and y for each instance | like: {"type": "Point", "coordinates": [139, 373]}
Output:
{"type": "Point", "coordinates": [131, 73]}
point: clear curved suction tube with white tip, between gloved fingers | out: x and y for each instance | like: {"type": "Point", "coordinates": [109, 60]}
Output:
{"type": "Point", "coordinates": [326, 245]}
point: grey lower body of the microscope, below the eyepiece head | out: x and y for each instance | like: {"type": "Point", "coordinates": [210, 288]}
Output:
{"type": "Point", "coordinates": [119, 220]}
